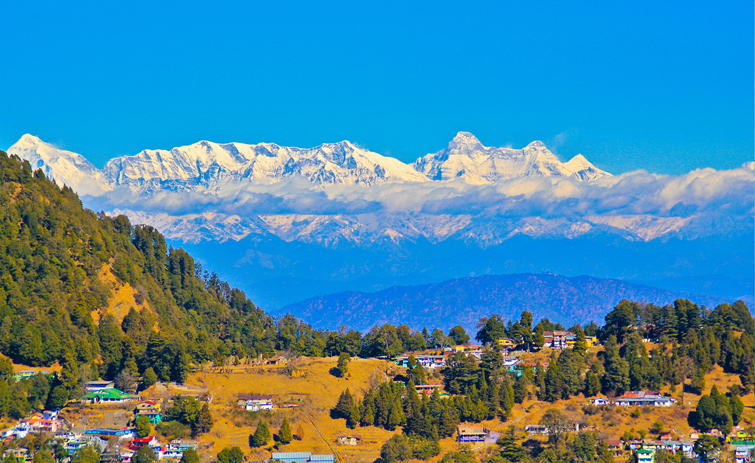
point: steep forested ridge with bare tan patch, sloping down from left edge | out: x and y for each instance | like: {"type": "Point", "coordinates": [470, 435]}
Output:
{"type": "Point", "coordinates": [54, 256]}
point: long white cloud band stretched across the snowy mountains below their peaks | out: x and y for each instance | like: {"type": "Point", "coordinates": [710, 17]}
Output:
{"type": "Point", "coordinates": [703, 191]}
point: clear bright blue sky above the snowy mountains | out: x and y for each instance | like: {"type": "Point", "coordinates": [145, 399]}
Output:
{"type": "Point", "coordinates": [665, 86]}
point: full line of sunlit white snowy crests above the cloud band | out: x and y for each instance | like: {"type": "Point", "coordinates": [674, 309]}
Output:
{"type": "Point", "coordinates": [204, 166]}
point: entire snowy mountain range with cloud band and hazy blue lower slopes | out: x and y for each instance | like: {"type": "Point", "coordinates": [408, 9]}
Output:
{"type": "Point", "coordinates": [289, 223]}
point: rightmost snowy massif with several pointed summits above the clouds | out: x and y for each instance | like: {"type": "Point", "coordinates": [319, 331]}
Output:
{"type": "Point", "coordinates": [465, 157]}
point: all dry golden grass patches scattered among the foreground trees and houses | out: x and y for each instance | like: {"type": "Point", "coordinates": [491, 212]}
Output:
{"type": "Point", "coordinates": [307, 383]}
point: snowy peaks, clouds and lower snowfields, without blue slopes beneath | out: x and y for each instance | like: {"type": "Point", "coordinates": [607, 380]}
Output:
{"type": "Point", "coordinates": [340, 194]}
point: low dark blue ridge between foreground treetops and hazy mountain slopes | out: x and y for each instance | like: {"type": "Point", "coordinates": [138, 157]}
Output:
{"type": "Point", "coordinates": [463, 301]}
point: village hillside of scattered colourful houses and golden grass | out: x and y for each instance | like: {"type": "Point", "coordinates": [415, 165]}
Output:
{"type": "Point", "coordinates": [122, 441]}
